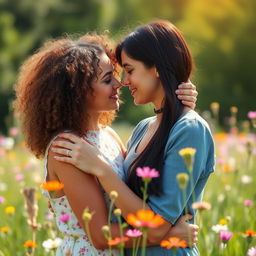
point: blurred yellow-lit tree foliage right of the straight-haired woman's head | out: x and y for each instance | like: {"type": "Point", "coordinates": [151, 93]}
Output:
{"type": "Point", "coordinates": [222, 35]}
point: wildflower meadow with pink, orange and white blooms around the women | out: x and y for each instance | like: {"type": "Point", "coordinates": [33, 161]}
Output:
{"type": "Point", "coordinates": [226, 216]}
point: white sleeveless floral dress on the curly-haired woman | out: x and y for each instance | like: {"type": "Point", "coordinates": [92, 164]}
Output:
{"type": "Point", "coordinates": [75, 239]}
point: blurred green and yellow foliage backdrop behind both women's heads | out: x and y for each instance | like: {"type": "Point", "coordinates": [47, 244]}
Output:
{"type": "Point", "coordinates": [221, 35]}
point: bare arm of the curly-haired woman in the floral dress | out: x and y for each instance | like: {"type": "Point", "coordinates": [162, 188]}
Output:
{"type": "Point", "coordinates": [83, 190]}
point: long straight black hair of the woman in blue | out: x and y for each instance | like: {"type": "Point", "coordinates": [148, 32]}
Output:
{"type": "Point", "coordinates": [162, 45]}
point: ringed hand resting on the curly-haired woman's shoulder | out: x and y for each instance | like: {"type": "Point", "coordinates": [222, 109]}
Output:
{"type": "Point", "coordinates": [77, 151]}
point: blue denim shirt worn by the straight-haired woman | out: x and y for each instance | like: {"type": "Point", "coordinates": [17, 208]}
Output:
{"type": "Point", "coordinates": [190, 130]}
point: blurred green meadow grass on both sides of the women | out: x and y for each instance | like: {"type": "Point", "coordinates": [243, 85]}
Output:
{"type": "Point", "coordinates": [224, 191]}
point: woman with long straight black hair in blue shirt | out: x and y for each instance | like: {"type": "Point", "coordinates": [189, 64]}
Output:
{"type": "Point", "coordinates": [156, 60]}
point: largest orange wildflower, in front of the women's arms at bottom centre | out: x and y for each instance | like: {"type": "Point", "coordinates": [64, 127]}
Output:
{"type": "Point", "coordinates": [145, 218]}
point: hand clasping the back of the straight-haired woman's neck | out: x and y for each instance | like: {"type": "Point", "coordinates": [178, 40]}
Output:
{"type": "Point", "coordinates": [187, 93]}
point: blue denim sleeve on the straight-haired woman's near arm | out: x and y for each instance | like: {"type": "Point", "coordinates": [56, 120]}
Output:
{"type": "Point", "coordinates": [190, 133]}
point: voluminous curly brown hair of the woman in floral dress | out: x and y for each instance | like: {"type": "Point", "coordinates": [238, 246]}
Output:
{"type": "Point", "coordinates": [52, 88]}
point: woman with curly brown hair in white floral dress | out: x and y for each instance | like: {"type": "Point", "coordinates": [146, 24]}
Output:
{"type": "Point", "coordinates": [69, 85]}
